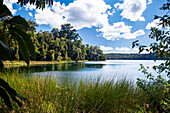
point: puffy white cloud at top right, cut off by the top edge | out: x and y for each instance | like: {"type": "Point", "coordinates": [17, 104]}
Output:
{"type": "Point", "coordinates": [132, 9]}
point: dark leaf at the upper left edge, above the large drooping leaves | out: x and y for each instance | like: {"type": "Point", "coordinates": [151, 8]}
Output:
{"type": "Point", "coordinates": [4, 11]}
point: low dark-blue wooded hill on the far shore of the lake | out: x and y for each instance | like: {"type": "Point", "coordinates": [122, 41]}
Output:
{"type": "Point", "coordinates": [131, 56]}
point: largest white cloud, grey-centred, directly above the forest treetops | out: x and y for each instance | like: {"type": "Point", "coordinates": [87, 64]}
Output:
{"type": "Point", "coordinates": [80, 13]}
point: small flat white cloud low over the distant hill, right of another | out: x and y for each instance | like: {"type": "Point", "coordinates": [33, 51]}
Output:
{"type": "Point", "coordinates": [126, 49]}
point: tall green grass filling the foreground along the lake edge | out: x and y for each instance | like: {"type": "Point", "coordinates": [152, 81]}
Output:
{"type": "Point", "coordinates": [44, 94]}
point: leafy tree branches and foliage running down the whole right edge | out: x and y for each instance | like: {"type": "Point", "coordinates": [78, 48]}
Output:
{"type": "Point", "coordinates": [161, 49]}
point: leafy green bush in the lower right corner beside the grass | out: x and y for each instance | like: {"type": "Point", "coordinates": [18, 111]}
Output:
{"type": "Point", "coordinates": [152, 86]}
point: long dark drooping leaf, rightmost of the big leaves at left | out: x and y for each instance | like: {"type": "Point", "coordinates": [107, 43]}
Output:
{"type": "Point", "coordinates": [26, 38]}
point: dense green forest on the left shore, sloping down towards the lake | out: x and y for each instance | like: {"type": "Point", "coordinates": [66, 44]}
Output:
{"type": "Point", "coordinates": [58, 45]}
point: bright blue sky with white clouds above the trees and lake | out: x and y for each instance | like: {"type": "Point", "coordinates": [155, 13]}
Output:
{"type": "Point", "coordinates": [110, 24]}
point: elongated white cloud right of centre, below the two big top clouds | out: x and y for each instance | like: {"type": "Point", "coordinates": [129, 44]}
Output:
{"type": "Point", "coordinates": [119, 30]}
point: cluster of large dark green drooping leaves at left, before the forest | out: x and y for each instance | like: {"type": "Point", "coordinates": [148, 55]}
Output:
{"type": "Point", "coordinates": [16, 27]}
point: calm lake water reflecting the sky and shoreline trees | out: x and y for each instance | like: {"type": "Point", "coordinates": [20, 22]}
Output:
{"type": "Point", "coordinates": [92, 70]}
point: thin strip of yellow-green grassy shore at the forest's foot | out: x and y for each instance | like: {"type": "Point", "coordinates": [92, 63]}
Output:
{"type": "Point", "coordinates": [8, 64]}
